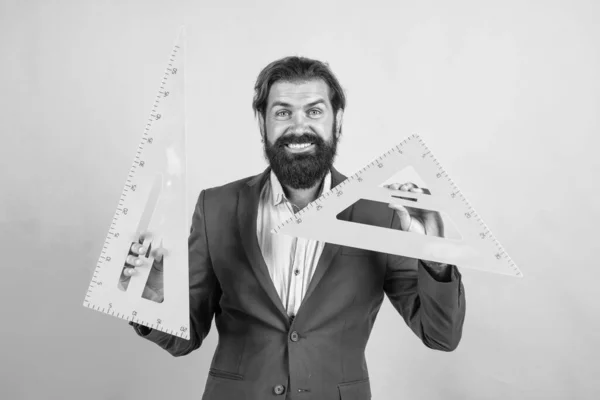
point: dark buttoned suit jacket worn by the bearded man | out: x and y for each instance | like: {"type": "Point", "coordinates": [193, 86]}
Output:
{"type": "Point", "coordinates": [319, 354]}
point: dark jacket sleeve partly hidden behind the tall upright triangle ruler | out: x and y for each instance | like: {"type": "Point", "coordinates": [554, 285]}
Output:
{"type": "Point", "coordinates": [204, 289]}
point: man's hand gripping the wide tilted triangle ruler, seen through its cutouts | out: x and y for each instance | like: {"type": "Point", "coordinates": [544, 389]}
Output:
{"type": "Point", "coordinates": [415, 219]}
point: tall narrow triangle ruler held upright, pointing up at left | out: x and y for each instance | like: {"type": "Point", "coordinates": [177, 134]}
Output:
{"type": "Point", "coordinates": [154, 200]}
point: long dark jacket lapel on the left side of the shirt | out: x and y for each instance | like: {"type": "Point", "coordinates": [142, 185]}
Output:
{"type": "Point", "coordinates": [247, 211]}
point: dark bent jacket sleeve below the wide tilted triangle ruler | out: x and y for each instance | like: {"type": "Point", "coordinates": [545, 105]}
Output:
{"type": "Point", "coordinates": [433, 309]}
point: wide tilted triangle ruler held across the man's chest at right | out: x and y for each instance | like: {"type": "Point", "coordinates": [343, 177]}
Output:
{"type": "Point", "coordinates": [477, 248]}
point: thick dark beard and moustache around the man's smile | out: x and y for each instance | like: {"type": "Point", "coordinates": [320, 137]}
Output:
{"type": "Point", "coordinates": [301, 171]}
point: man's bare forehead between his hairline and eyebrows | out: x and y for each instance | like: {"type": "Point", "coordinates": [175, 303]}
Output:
{"type": "Point", "coordinates": [299, 92]}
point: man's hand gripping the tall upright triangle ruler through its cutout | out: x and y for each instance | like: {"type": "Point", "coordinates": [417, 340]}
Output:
{"type": "Point", "coordinates": [154, 289]}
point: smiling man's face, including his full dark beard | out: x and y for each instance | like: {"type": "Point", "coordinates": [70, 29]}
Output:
{"type": "Point", "coordinates": [300, 132]}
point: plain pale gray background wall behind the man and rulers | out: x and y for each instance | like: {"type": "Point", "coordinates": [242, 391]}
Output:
{"type": "Point", "coordinates": [506, 93]}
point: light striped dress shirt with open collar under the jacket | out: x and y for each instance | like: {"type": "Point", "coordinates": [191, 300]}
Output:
{"type": "Point", "coordinates": [291, 261]}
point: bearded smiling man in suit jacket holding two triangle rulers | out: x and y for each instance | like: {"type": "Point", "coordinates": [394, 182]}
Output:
{"type": "Point", "coordinates": [294, 315]}
